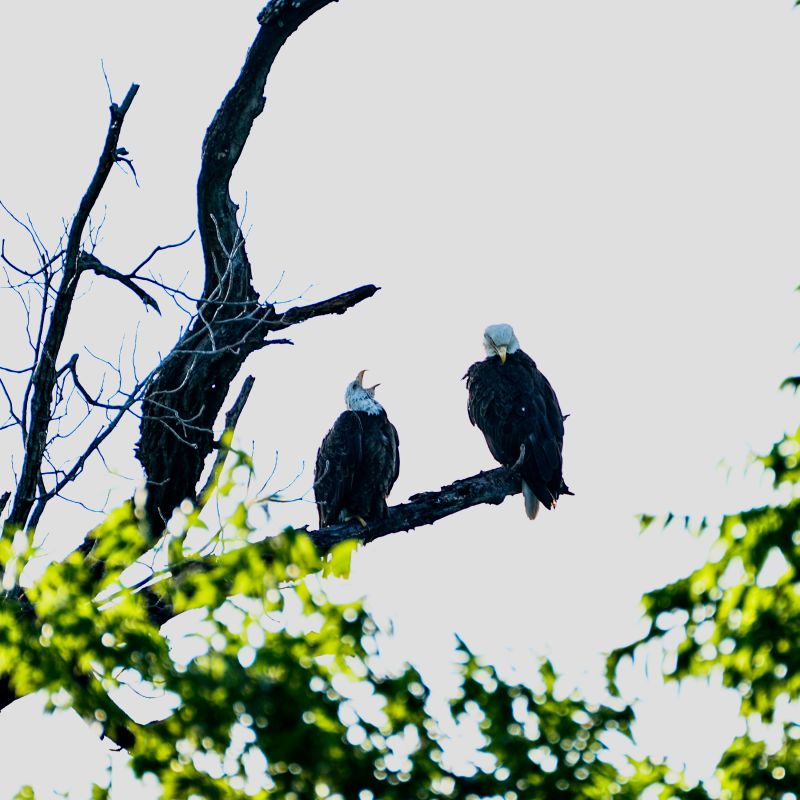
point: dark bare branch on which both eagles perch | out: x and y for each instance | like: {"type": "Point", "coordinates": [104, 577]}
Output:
{"type": "Point", "coordinates": [490, 487]}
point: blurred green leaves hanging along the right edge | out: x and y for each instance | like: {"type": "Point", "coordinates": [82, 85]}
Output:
{"type": "Point", "coordinates": [739, 615]}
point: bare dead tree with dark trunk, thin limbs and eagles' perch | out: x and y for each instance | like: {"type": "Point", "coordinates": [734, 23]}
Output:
{"type": "Point", "coordinates": [181, 398]}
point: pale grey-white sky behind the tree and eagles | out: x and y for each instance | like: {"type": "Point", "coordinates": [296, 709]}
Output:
{"type": "Point", "coordinates": [618, 180]}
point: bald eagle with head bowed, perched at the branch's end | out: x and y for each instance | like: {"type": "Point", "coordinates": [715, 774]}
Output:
{"type": "Point", "coordinates": [514, 406]}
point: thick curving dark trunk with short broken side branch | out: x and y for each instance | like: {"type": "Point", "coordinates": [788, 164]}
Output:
{"type": "Point", "coordinates": [186, 395]}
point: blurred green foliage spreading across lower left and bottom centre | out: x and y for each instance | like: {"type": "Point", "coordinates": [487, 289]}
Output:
{"type": "Point", "coordinates": [275, 690]}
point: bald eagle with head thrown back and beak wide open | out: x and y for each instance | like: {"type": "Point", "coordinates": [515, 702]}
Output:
{"type": "Point", "coordinates": [358, 460]}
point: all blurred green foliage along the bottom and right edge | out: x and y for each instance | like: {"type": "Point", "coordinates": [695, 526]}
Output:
{"type": "Point", "coordinates": [285, 693]}
